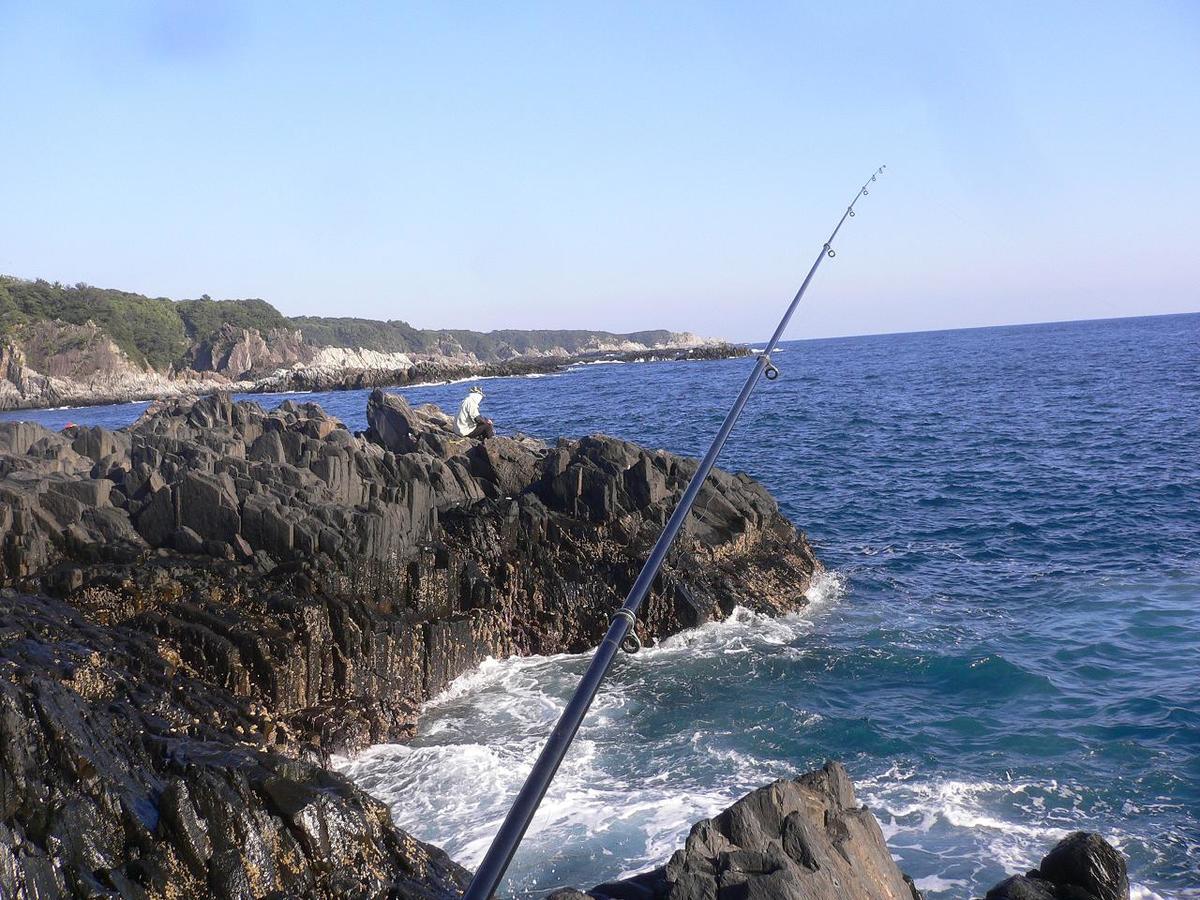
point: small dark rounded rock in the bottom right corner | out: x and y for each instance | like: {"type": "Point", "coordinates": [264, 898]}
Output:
{"type": "Point", "coordinates": [1082, 867]}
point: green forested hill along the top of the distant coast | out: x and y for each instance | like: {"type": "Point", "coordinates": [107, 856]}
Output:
{"type": "Point", "coordinates": [165, 334]}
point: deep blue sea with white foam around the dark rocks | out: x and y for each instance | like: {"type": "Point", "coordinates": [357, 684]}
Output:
{"type": "Point", "coordinates": [1006, 649]}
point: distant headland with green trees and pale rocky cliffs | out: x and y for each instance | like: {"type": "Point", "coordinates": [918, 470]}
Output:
{"type": "Point", "coordinates": [80, 346]}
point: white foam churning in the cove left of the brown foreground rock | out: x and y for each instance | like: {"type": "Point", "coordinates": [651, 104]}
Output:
{"type": "Point", "coordinates": [483, 734]}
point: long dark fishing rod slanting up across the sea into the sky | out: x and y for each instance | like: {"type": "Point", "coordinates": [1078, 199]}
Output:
{"type": "Point", "coordinates": [490, 873]}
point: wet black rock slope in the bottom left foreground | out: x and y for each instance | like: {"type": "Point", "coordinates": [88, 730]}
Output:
{"type": "Point", "coordinates": [115, 782]}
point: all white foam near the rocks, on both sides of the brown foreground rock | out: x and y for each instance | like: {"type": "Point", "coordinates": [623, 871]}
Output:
{"type": "Point", "coordinates": [634, 807]}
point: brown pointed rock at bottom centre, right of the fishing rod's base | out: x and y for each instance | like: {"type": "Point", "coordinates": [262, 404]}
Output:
{"type": "Point", "coordinates": [803, 839]}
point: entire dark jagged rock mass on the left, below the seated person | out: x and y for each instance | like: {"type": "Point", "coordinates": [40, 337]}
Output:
{"type": "Point", "coordinates": [200, 609]}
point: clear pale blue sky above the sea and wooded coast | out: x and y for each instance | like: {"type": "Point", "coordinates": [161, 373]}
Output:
{"type": "Point", "coordinates": [616, 166]}
